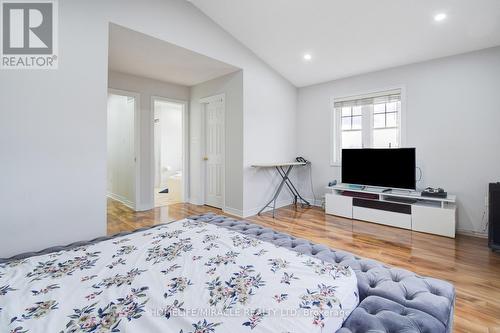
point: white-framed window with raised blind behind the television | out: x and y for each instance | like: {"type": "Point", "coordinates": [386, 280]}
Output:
{"type": "Point", "coordinates": [369, 121]}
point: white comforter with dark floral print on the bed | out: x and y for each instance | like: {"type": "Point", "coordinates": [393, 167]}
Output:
{"type": "Point", "coordinates": [187, 276]}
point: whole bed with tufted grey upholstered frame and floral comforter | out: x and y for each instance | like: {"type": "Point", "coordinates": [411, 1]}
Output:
{"type": "Point", "coordinates": [211, 273]}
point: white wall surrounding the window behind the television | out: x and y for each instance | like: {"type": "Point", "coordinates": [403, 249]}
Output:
{"type": "Point", "coordinates": [452, 118]}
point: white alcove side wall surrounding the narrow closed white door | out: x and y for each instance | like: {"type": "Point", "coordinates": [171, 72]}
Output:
{"type": "Point", "coordinates": [232, 86]}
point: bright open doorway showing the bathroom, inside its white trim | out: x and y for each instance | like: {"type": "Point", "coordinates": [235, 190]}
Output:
{"type": "Point", "coordinates": [169, 151]}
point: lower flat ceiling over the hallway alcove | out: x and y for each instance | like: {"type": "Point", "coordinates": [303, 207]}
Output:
{"type": "Point", "coordinates": [138, 54]}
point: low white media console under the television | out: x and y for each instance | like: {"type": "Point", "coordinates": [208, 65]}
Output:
{"type": "Point", "coordinates": [397, 208]}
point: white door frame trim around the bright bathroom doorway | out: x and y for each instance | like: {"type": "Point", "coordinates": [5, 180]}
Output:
{"type": "Point", "coordinates": [185, 144]}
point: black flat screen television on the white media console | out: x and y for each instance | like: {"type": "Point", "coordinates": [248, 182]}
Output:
{"type": "Point", "coordinates": [381, 167]}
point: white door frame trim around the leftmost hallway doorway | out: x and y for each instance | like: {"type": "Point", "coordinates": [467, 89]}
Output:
{"type": "Point", "coordinates": [137, 204]}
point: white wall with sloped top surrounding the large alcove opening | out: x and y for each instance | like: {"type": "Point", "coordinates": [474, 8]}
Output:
{"type": "Point", "coordinates": [50, 143]}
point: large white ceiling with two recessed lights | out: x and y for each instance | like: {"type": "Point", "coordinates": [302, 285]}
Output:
{"type": "Point", "coordinates": [349, 37]}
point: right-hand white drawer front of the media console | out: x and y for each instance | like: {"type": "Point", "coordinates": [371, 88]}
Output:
{"type": "Point", "coordinates": [433, 220]}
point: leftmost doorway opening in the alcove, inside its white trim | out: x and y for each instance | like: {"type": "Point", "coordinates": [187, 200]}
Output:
{"type": "Point", "coordinates": [122, 147]}
